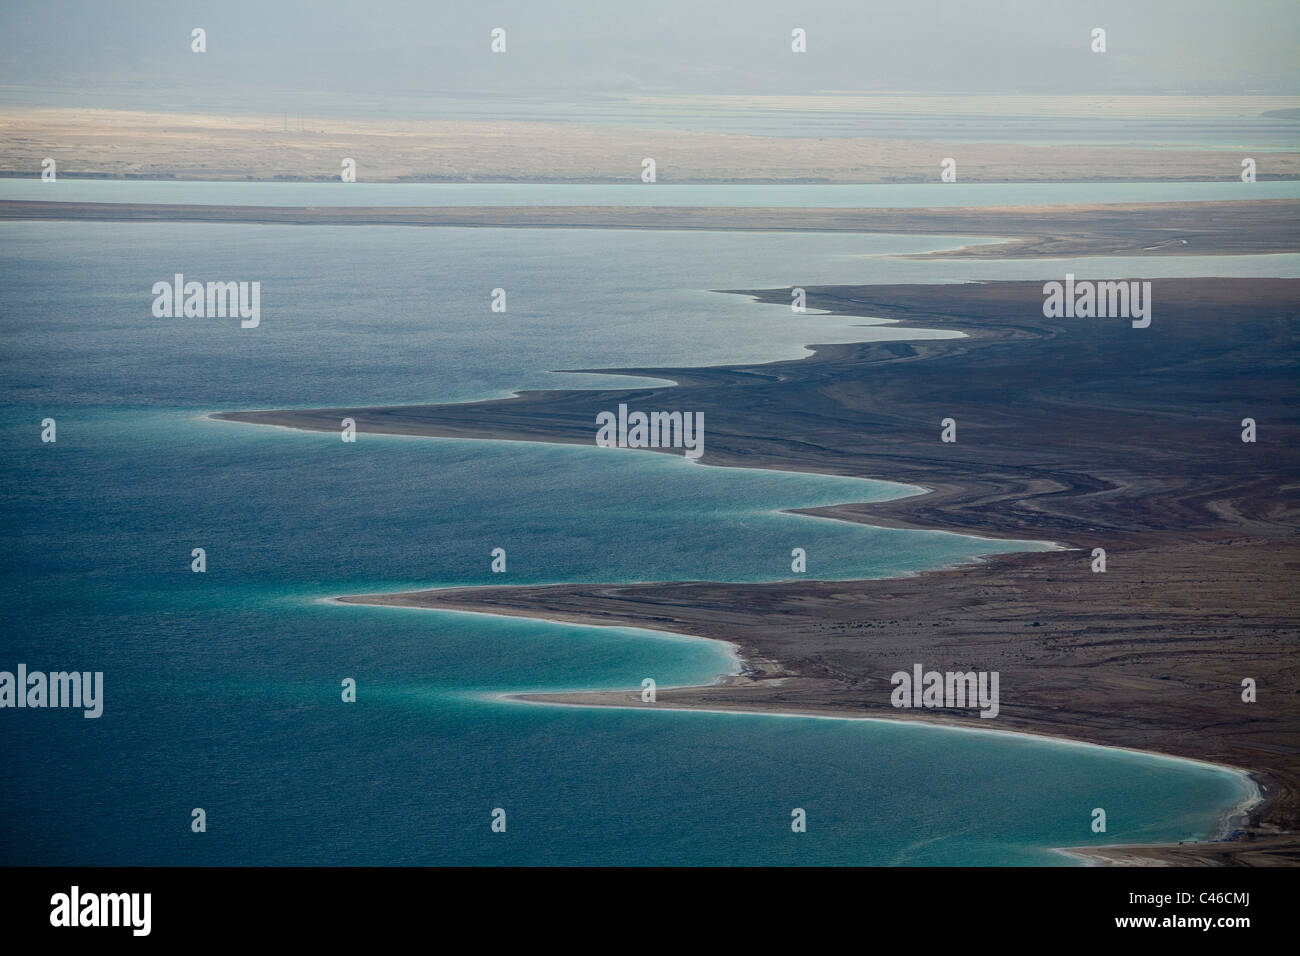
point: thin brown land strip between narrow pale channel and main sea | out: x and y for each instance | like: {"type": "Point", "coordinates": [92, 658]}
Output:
{"type": "Point", "coordinates": [1217, 228]}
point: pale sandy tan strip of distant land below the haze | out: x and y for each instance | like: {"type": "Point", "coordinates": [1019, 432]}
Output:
{"type": "Point", "coordinates": [196, 146]}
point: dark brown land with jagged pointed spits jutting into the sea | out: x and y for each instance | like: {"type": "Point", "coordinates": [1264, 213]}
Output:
{"type": "Point", "coordinates": [1081, 431]}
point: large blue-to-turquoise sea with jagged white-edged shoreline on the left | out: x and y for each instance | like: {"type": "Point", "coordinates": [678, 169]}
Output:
{"type": "Point", "coordinates": [223, 690]}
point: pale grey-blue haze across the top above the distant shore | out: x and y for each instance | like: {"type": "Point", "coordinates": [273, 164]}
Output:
{"type": "Point", "coordinates": [357, 53]}
